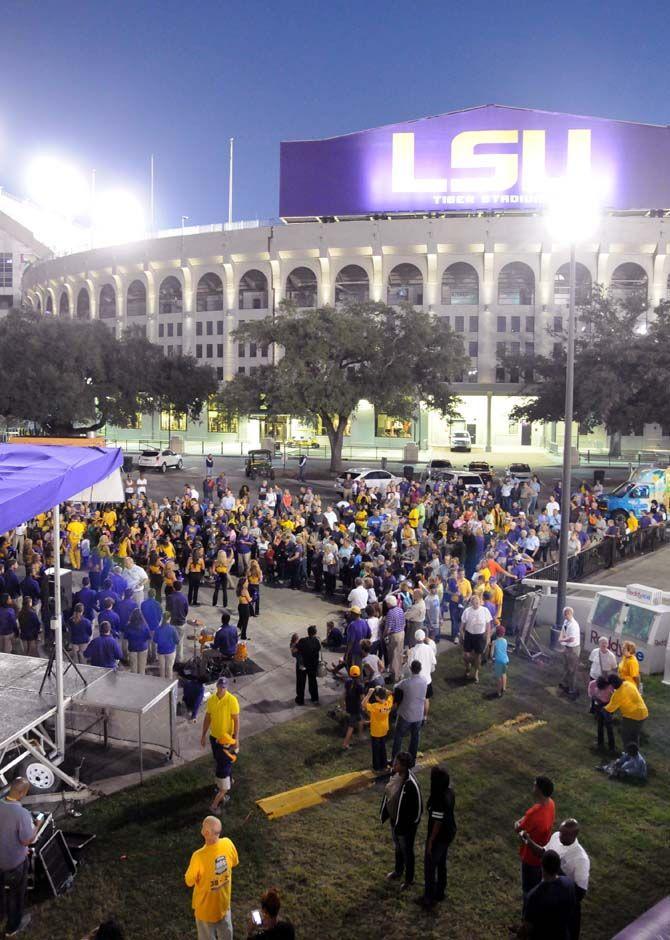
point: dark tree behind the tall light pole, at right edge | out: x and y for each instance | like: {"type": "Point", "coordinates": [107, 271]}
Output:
{"type": "Point", "coordinates": [621, 369]}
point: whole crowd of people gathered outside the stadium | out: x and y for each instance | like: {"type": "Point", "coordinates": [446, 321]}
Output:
{"type": "Point", "coordinates": [416, 564]}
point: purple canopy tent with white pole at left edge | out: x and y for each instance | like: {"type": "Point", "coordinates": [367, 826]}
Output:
{"type": "Point", "coordinates": [36, 478]}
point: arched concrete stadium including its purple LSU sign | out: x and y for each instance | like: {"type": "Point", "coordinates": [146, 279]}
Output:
{"type": "Point", "coordinates": [442, 212]}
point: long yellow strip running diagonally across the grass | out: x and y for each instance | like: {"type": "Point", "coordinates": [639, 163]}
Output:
{"type": "Point", "coordinates": [314, 794]}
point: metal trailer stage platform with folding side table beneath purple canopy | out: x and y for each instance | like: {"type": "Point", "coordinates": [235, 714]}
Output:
{"type": "Point", "coordinates": [138, 711]}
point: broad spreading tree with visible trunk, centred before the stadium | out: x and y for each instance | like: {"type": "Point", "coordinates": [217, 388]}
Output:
{"type": "Point", "coordinates": [329, 359]}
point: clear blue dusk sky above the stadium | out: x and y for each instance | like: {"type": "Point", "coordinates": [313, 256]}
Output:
{"type": "Point", "coordinates": [107, 84]}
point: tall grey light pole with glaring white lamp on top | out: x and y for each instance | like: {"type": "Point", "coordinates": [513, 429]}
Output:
{"type": "Point", "coordinates": [572, 215]}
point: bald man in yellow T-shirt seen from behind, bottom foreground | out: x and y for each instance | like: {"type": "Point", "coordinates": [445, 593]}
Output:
{"type": "Point", "coordinates": [210, 874]}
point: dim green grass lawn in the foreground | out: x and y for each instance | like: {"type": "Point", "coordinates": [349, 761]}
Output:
{"type": "Point", "coordinates": [329, 862]}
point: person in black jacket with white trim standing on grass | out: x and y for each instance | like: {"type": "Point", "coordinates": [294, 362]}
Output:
{"type": "Point", "coordinates": [403, 806]}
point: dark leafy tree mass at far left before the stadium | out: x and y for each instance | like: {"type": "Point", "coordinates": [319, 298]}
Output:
{"type": "Point", "coordinates": [70, 375]}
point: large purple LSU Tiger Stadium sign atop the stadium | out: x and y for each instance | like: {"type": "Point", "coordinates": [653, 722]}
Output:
{"type": "Point", "coordinates": [485, 158]}
